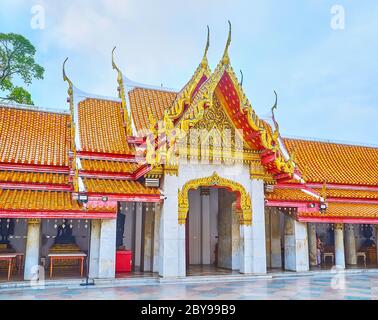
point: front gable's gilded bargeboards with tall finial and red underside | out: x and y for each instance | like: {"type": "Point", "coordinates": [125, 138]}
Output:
{"type": "Point", "coordinates": [257, 134]}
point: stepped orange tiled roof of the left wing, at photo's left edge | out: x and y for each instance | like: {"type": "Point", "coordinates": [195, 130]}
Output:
{"type": "Point", "coordinates": [34, 169]}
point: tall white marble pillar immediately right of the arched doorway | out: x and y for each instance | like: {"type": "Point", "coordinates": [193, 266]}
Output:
{"type": "Point", "coordinates": [258, 241]}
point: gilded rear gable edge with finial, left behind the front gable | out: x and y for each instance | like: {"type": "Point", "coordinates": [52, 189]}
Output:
{"type": "Point", "coordinates": [186, 95]}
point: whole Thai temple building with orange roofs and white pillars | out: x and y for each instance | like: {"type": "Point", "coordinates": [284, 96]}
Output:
{"type": "Point", "coordinates": [189, 182]}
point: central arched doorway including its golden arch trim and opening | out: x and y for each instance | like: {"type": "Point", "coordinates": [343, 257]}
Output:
{"type": "Point", "coordinates": [213, 210]}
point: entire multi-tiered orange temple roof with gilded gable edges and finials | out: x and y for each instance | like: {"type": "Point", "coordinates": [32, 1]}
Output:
{"type": "Point", "coordinates": [49, 158]}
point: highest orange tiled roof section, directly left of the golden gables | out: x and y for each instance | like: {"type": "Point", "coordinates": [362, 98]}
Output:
{"type": "Point", "coordinates": [143, 100]}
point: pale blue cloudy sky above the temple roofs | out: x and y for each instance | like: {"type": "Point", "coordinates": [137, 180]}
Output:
{"type": "Point", "coordinates": [326, 77]}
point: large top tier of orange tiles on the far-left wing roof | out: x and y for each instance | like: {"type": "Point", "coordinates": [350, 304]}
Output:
{"type": "Point", "coordinates": [34, 137]}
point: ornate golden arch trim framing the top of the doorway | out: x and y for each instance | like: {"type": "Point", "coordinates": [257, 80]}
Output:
{"type": "Point", "coordinates": [243, 204]}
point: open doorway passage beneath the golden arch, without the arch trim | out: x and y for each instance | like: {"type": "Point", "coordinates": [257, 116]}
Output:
{"type": "Point", "coordinates": [212, 232]}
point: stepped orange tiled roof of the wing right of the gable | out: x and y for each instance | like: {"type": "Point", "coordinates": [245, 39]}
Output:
{"type": "Point", "coordinates": [345, 175]}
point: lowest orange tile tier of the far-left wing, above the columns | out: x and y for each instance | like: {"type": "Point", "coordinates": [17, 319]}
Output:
{"type": "Point", "coordinates": [37, 200]}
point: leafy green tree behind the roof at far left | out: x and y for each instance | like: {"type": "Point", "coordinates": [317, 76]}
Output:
{"type": "Point", "coordinates": [17, 62]}
